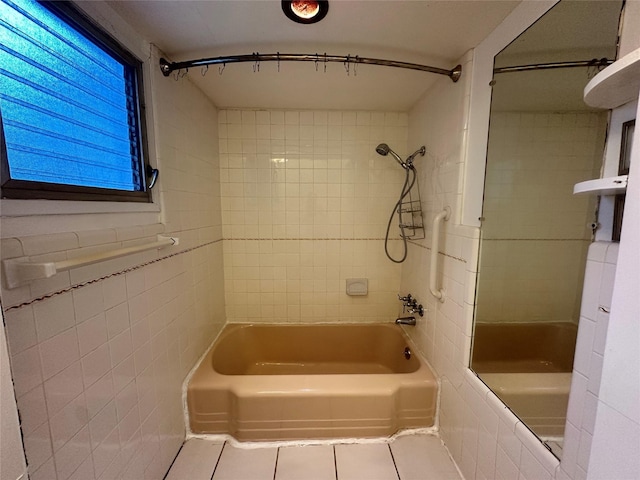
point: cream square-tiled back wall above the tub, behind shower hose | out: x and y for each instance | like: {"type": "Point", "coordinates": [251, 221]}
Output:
{"type": "Point", "coordinates": [305, 205]}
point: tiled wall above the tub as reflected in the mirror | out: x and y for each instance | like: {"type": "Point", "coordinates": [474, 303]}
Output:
{"type": "Point", "coordinates": [535, 231]}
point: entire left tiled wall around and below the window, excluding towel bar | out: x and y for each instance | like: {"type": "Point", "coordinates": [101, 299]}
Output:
{"type": "Point", "coordinates": [99, 353]}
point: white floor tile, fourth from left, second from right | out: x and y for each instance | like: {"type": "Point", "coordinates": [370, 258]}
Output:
{"type": "Point", "coordinates": [370, 461]}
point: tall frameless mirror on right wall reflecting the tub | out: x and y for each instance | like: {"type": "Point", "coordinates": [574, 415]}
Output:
{"type": "Point", "coordinates": [535, 234]}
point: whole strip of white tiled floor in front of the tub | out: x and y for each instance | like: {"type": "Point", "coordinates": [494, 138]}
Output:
{"type": "Point", "coordinates": [411, 457]}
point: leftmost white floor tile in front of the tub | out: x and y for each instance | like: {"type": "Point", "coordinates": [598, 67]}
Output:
{"type": "Point", "coordinates": [196, 460]}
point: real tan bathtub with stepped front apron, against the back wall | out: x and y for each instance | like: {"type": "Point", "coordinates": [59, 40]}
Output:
{"type": "Point", "coordinates": [292, 382]}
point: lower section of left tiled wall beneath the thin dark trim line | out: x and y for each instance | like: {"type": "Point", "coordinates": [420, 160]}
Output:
{"type": "Point", "coordinates": [86, 391]}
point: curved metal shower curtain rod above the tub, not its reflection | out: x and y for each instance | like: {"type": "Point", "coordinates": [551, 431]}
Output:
{"type": "Point", "coordinates": [167, 67]}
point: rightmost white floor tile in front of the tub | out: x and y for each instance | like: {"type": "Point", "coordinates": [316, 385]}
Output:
{"type": "Point", "coordinates": [420, 457]}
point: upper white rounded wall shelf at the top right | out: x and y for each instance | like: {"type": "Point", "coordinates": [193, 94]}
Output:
{"type": "Point", "coordinates": [615, 85]}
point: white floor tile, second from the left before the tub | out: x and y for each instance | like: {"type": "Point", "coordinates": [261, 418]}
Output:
{"type": "Point", "coordinates": [246, 464]}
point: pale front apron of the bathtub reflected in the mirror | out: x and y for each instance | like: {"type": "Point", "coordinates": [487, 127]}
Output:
{"type": "Point", "coordinates": [539, 399]}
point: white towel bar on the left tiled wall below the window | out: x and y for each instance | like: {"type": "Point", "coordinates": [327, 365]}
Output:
{"type": "Point", "coordinates": [21, 270]}
